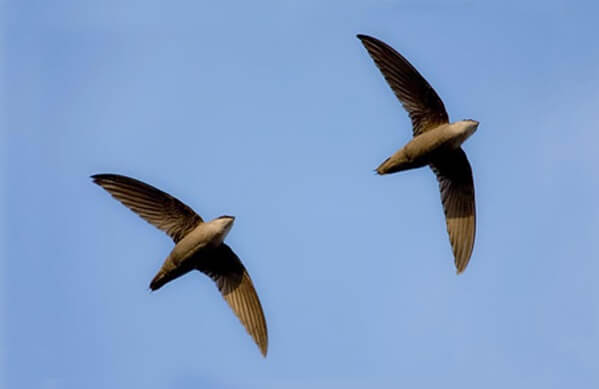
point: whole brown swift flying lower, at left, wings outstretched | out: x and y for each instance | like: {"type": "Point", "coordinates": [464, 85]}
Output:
{"type": "Point", "coordinates": [198, 246]}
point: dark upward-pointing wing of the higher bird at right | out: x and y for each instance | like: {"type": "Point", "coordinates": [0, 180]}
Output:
{"type": "Point", "coordinates": [424, 106]}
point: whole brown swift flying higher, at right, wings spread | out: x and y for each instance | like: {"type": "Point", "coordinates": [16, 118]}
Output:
{"type": "Point", "coordinates": [436, 143]}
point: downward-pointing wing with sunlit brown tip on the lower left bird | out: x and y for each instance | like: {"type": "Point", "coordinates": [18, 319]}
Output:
{"type": "Point", "coordinates": [235, 284]}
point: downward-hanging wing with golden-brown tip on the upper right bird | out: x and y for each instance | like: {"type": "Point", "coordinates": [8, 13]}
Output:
{"type": "Point", "coordinates": [457, 195]}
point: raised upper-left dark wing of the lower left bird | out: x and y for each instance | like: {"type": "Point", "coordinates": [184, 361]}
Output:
{"type": "Point", "coordinates": [156, 207]}
